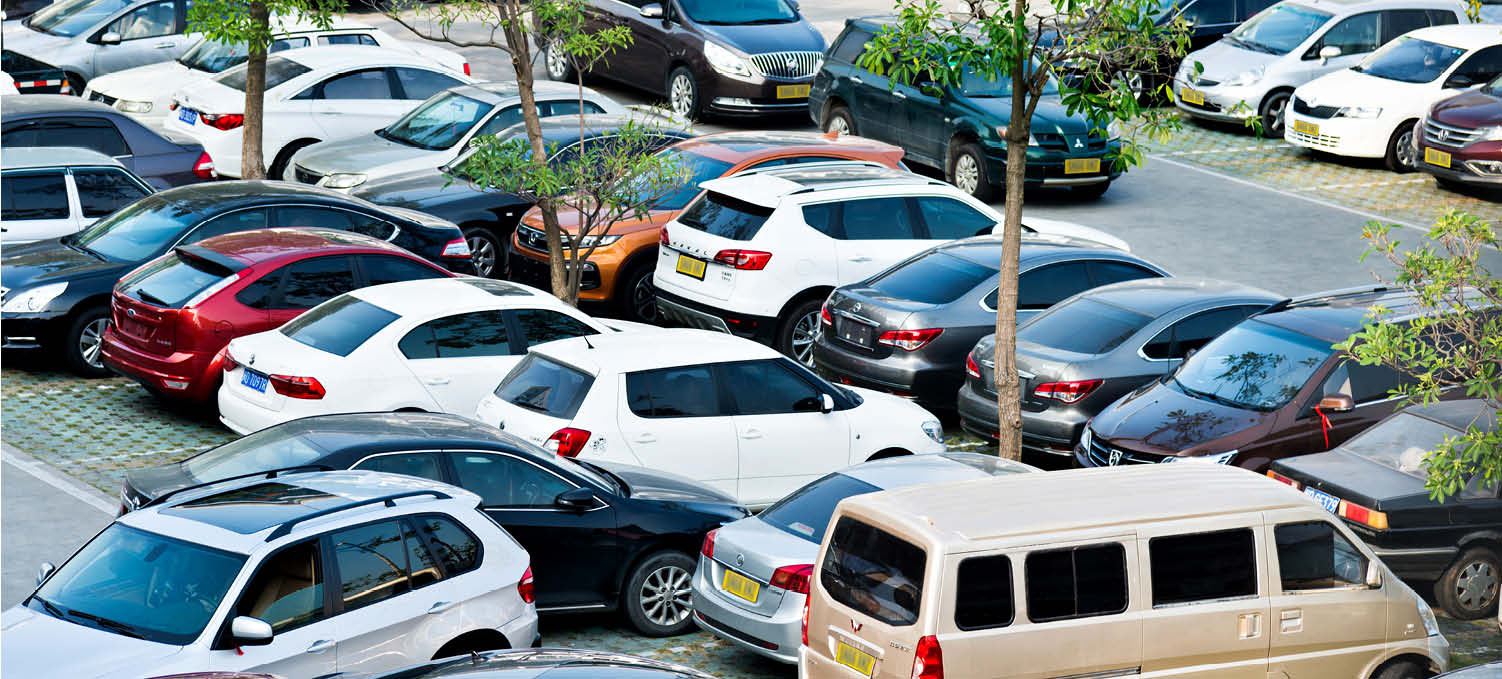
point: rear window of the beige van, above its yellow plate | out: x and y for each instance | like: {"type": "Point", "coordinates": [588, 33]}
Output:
{"type": "Point", "coordinates": [875, 573]}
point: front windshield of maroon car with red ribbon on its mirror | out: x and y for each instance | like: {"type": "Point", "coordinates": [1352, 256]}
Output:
{"type": "Point", "coordinates": [1253, 366]}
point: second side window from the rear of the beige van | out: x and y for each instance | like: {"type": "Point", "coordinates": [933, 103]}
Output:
{"type": "Point", "coordinates": [1079, 582]}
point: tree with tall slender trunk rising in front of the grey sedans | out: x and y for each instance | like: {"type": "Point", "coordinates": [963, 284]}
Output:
{"type": "Point", "coordinates": [1106, 44]}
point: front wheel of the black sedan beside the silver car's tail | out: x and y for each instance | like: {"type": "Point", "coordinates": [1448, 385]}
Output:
{"type": "Point", "coordinates": [659, 597]}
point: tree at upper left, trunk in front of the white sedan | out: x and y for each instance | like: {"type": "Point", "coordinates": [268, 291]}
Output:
{"type": "Point", "coordinates": [250, 23]}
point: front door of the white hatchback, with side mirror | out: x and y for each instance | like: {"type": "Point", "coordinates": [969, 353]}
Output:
{"type": "Point", "coordinates": [783, 435]}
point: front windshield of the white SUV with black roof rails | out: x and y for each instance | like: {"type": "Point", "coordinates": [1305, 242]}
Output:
{"type": "Point", "coordinates": [140, 585]}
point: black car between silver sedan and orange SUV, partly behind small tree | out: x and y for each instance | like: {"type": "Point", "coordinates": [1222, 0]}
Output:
{"type": "Point", "coordinates": [489, 217]}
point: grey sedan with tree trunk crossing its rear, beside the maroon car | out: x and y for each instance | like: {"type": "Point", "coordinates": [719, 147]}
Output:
{"type": "Point", "coordinates": [1097, 346]}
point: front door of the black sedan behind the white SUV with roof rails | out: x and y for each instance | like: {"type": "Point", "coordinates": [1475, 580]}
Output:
{"type": "Point", "coordinates": [573, 552]}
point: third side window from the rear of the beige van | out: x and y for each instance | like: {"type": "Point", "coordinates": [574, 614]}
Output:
{"type": "Point", "coordinates": [1204, 567]}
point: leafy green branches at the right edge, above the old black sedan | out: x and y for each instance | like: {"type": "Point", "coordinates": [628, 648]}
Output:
{"type": "Point", "coordinates": [1455, 343]}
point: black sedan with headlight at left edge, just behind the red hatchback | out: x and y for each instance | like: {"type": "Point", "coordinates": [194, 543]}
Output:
{"type": "Point", "coordinates": [58, 291]}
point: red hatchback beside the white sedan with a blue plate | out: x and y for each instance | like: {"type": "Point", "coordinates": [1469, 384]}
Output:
{"type": "Point", "coordinates": [175, 315]}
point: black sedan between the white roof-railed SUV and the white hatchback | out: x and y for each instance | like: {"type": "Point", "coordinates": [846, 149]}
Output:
{"type": "Point", "coordinates": [602, 537]}
